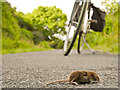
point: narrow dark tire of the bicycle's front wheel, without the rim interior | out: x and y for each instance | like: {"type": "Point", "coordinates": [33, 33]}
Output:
{"type": "Point", "coordinates": [77, 29]}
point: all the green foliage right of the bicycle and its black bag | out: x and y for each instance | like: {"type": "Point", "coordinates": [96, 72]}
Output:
{"type": "Point", "coordinates": [107, 40]}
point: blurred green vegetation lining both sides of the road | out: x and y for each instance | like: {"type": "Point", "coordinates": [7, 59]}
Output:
{"type": "Point", "coordinates": [37, 31]}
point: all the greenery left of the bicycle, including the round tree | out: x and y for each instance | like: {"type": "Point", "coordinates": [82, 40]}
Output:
{"type": "Point", "coordinates": [28, 32]}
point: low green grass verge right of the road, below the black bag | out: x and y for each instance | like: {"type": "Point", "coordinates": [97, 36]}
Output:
{"type": "Point", "coordinates": [103, 43]}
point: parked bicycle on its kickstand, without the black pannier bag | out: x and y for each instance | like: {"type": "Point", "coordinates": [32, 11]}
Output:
{"type": "Point", "coordinates": [81, 10]}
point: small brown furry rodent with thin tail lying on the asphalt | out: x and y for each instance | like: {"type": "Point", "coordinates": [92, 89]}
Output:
{"type": "Point", "coordinates": [78, 77]}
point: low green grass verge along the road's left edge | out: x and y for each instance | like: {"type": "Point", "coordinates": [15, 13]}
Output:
{"type": "Point", "coordinates": [27, 47]}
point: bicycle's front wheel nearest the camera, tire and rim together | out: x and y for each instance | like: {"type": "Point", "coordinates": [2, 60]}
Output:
{"type": "Point", "coordinates": [69, 42]}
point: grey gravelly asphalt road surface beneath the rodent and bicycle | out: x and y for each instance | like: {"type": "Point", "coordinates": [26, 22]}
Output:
{"type": "Point", "coordinates": [35, 69]}
